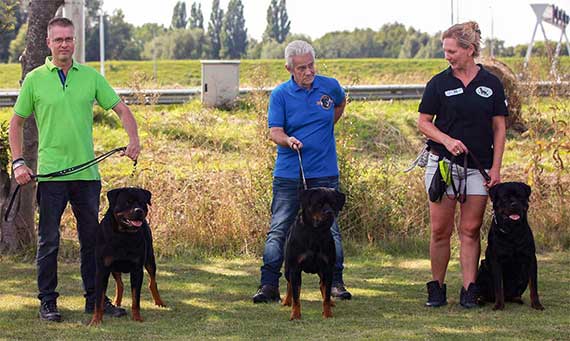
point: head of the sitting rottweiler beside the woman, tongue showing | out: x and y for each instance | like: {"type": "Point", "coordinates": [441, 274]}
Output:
{"type": "Point", "coordinates": [510, 201]}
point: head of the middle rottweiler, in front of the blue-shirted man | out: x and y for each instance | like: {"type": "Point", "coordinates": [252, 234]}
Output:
{"type": "Point", "coordinates": [320, 206]}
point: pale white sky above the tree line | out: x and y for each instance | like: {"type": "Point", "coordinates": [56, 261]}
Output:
{"type": "Point", "coordinates": [511, 20]}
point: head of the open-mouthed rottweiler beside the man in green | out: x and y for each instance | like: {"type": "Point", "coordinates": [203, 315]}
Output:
{"type": "Point", "coordinates": [129, 207]}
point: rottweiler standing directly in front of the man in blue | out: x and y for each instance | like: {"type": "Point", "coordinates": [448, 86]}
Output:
{"type": "Point", "coordinates": [310, 246]}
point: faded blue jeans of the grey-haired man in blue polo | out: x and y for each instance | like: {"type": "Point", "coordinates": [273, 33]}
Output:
{"type": "Point", "coordinates": [284, 209]}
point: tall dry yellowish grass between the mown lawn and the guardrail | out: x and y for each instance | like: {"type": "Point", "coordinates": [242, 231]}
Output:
{"type": "Point", "coordinates": [212, 188]}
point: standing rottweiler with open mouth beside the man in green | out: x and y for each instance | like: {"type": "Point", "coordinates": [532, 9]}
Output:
{"type": "Point", "coordinates": [124, 245]}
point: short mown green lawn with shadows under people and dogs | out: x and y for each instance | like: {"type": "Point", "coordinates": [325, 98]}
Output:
{"type": "Point", "coordinates": [211, 298]}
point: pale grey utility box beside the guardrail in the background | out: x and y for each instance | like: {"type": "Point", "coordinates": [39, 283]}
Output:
{"type": "Point", "coordinates": [220, 82]}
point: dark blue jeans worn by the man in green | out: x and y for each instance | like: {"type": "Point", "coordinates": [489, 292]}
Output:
{"type": "Point", "coordinates": [52, 197]}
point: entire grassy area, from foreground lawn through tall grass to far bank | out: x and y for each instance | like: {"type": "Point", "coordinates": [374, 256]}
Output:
{"type": "Point", "coordinates": [210, 174]}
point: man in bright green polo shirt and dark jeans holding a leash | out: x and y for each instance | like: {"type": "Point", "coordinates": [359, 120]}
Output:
{"type": "Point", "coordinates": [61, 93]}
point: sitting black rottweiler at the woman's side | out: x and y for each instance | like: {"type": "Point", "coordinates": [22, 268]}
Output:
{"type": "Point", "coordinates": [510, 265]}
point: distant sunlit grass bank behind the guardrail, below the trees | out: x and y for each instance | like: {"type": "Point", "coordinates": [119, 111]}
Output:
{"type": "Point", "coordinates": [187, 73]}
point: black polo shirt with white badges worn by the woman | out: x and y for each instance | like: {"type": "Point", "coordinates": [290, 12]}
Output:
{"type": "Point", "coordinates": [465, 113]}
